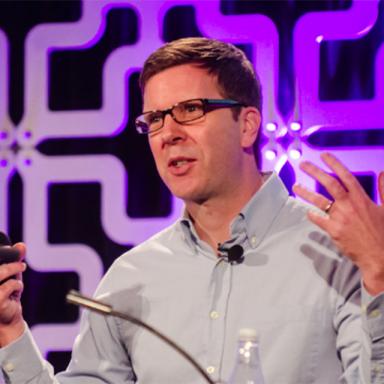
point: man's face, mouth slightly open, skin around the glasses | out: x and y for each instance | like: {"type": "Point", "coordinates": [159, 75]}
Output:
{"type": "Point", "coordinates": [201, 160]}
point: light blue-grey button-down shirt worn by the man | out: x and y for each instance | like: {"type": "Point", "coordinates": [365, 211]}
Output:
{"type": "Point", "coordinates": [315, 323]}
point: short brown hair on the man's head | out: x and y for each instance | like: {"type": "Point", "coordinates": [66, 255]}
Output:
{"type": "Point", "coordinates": [236, 77]}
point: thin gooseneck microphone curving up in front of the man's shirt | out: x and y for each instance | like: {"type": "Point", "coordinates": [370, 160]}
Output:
{"type": "Point", "coordinates": [76, 298]}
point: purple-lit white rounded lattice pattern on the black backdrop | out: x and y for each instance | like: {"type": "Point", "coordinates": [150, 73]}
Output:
{"type": "Point", "coordinates": [39, 172]}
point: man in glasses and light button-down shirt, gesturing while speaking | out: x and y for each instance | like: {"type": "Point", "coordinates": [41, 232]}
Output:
{"type": "Point", "coordinates": [202, 105]}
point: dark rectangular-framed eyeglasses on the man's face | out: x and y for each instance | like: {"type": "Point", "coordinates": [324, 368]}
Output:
{"type": "Point", "coordinates": [183, 113]}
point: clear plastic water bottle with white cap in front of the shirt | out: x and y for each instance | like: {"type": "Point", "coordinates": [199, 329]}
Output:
{"type": "Point", "coordinates": [247, 369]}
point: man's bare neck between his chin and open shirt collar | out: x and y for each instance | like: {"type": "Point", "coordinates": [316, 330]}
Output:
{"type": "Point", "coordinates": [212, 218]}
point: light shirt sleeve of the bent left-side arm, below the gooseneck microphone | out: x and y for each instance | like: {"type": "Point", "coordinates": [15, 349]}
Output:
{"type": "Point", "coordinates": [98, 357]}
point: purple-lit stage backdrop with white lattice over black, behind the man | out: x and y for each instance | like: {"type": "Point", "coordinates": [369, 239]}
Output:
{"type": "Point", "coordinates": [79, 186]}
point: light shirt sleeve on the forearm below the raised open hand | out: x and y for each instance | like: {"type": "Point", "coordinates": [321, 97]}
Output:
{"type": "Point", "coordinates": [358, 322]}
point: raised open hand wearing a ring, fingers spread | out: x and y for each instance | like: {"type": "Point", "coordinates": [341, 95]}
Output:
{"type": "Point", "coordinates": [352, 219]}
